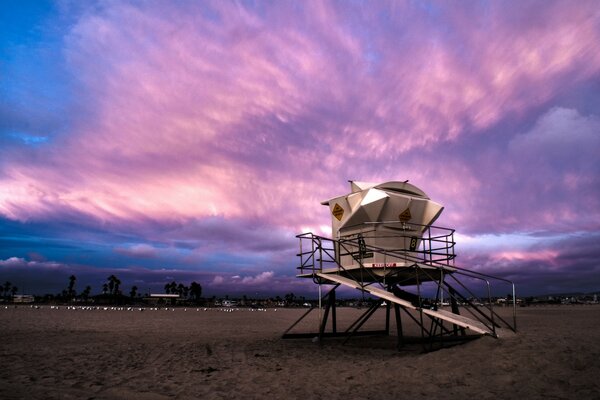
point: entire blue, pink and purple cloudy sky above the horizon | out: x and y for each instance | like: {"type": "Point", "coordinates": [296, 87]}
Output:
{"type": "Point", "coordinates": [192, 140]}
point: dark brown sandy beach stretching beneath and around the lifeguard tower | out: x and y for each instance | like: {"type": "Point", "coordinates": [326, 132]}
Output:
{"type": "Point", "coordinates": [187, 354]}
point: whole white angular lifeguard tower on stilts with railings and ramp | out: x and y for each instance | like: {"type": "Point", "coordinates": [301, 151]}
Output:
{"type": "Point", "coordinates": [384, 244]}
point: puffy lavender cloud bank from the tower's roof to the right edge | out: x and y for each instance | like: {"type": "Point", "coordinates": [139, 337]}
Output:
{"type": "Point", "coordinates": [542, 178]}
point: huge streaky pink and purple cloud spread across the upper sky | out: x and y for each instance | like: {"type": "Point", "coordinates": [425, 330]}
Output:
{"type": "Point", "coordinates": [250, 115]}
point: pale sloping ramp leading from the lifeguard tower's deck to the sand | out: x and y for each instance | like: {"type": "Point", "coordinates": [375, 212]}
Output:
{"type": "Point", "coordinates": [455, 319]}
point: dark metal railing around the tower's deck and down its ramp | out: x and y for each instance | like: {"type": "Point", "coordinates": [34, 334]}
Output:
{"type": "Point", "coordinates": [436, 251]}
